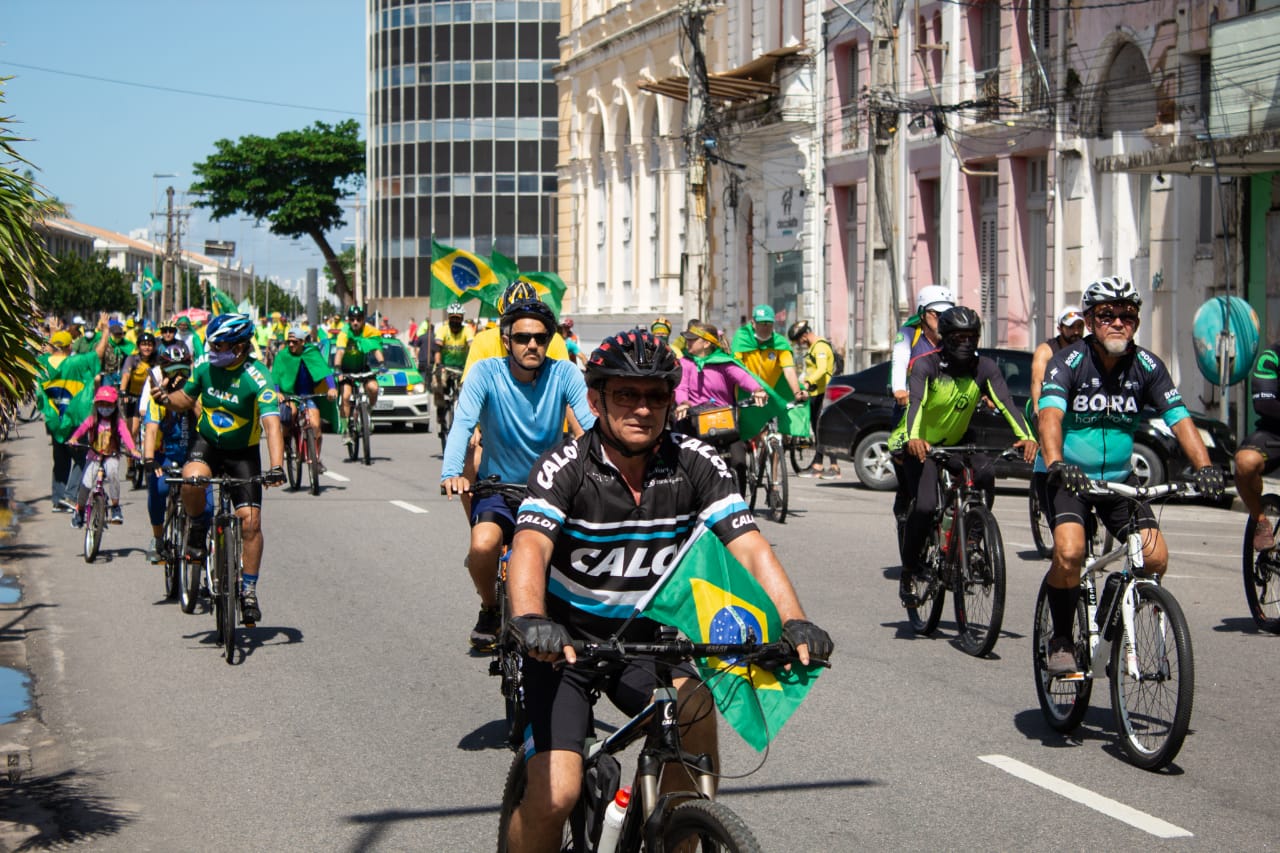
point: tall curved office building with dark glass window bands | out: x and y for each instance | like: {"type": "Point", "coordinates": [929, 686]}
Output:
{"type": "Point", "coordinates": [463, 135]}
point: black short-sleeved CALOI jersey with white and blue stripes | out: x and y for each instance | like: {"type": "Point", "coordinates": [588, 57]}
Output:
{"type": "Point", "coordinates": [609, 550]}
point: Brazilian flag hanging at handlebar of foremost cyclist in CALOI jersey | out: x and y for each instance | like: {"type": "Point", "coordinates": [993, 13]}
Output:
{"type": "Point", "coordinates": [712, 599]}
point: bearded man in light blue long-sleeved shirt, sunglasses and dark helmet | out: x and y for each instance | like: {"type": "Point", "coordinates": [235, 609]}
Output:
{"type": "Point", "coordinates": [519, 403]}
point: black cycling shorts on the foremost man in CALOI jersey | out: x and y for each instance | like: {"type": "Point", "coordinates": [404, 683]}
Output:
{"type": "Point", "coordinates": [559, 700]}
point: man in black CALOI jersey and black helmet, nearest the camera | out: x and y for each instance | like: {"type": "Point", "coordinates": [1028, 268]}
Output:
{"type": "Point", "coordinates": [605, 518]}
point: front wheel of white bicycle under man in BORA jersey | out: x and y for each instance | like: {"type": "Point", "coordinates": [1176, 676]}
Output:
{"type": "Point", "coordinates": [1154, 713]}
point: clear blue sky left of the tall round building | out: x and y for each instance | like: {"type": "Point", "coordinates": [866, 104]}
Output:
{"type": "Point", "coordinates": [273, 66]}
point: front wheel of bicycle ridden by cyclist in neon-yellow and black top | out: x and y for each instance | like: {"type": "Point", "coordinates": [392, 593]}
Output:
{"type": "Point", "coordinates": [980, 583]}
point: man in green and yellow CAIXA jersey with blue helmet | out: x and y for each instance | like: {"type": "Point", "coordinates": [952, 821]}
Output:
{"type": "Point", "coordinates": [237, 403]}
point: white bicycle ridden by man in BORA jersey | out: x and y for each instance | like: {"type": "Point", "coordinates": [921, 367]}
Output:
{"type": "Point", "coordinates": [1150, 660]}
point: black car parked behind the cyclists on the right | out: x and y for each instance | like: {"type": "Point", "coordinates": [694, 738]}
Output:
{"type": "Point", "coordinates": [857, 421]}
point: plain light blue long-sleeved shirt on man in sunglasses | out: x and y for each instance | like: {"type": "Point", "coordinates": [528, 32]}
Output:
{"type": "Point", "coordinates": [519, 421]}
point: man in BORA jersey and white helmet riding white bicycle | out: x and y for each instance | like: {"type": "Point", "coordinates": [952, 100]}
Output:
{"type": "Point", "coordinates": [1089, 408]}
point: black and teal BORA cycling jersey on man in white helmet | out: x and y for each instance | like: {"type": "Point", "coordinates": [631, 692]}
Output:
{"type": "Point", "coordinates": [1101, 408]}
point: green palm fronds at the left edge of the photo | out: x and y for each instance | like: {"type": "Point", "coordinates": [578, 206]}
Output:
{"type": "Point", "coordinates": [22, 262]}
